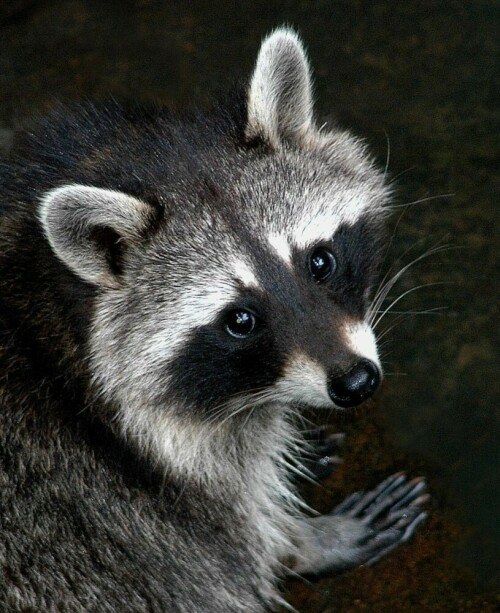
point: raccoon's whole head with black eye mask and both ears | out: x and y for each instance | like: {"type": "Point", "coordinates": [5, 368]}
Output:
{"type": "Point", "coordinates": [245, 289]}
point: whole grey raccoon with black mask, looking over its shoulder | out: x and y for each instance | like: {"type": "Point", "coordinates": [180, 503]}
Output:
{"type": "Point", "coordinates": [175, 290]}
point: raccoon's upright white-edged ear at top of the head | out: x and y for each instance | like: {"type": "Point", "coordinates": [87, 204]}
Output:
{"type": "Point", "coordinates": [279, 97]}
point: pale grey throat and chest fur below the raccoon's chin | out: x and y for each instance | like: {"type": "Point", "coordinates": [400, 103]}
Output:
{"type": "Point", "coordinates": [245, 468]}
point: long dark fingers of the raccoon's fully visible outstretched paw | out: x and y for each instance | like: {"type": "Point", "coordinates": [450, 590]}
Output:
{"type": "Point", "coordinates": [391, 512]}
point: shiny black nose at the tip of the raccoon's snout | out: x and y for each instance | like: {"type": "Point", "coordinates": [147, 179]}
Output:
{"type": "Point", "coordinates": [356, 385]}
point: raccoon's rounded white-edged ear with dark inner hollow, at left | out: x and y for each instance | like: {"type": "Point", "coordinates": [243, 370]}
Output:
{"type": "Point", "coordinates": [90, 229]}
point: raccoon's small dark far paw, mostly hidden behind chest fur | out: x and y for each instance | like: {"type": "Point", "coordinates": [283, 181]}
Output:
{"type": "Point", "coordinates": [321, 457]}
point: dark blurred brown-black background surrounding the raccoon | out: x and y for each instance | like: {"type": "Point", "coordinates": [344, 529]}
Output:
{"type": "Point", "coordinates": [421, 76]}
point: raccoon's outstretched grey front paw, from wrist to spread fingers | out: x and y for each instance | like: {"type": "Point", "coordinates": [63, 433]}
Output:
{"type": "Point", "coordinates": [363, 528]}
